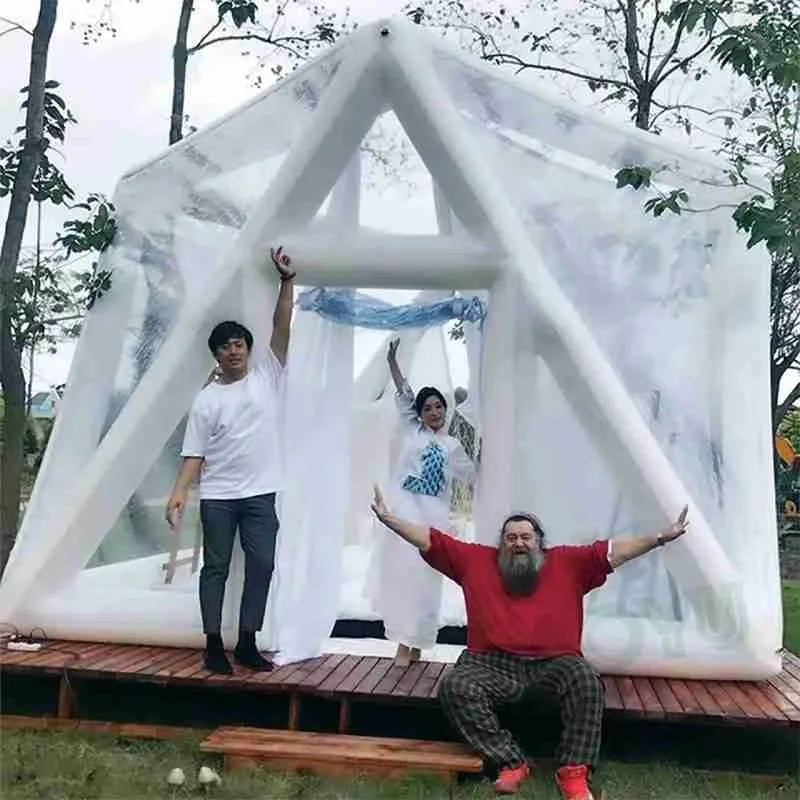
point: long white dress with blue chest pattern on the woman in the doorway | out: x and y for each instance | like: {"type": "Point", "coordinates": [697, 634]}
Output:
{"type": "Point", "coordinates": [407, 593]}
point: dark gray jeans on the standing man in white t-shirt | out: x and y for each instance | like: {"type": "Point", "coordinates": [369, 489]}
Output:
{"type": "Point", "coordinates": [257, 522]}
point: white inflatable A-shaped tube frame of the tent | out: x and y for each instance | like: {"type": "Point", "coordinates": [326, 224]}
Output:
{"type": "Point", "coordinates": [83, 487]}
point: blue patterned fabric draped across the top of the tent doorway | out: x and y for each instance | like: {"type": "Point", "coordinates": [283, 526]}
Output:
{"type": "Point", "coordinates": [348, 307]}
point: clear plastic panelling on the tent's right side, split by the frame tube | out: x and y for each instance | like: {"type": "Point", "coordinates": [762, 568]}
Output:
{"type": "Point", "coordinates": [649, 292]}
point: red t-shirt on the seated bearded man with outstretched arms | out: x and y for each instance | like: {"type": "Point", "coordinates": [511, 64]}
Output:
{"type": "Point", "coordinates": [546, 623]}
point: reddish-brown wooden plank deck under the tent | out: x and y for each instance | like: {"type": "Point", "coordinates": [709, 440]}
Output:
{"type": "Point", "coordinates": [346, 679]}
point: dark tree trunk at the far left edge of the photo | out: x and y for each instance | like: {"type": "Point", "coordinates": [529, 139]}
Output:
{"type": "Point", "coordinates": [11, 377]}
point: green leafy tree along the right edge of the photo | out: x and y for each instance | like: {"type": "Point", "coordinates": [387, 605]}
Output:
{"type": "Point", "coordinates": [763, 141]}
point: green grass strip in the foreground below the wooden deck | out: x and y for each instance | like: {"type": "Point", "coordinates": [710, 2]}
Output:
{"type": "Point", "coordinates": [62, 766]}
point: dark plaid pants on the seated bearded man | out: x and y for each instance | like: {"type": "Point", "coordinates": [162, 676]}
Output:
{"type": "Point", "coordinates": [481, 683]}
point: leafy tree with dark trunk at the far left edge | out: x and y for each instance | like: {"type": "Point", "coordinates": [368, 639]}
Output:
{"type": "Point", "coordinates": [41, 300]}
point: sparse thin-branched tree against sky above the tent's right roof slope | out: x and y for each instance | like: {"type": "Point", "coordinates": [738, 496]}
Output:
{"type": "Point", "coordinates": [645, 50]}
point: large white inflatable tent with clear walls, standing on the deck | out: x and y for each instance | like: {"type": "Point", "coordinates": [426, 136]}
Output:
{"type": "Point", "coordinates": [622, 370]}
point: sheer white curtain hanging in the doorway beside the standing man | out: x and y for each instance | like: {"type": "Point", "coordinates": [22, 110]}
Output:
{"type": "Point", "coordinates": [313, 507]}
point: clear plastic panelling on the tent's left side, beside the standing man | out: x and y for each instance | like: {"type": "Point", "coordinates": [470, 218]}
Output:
{"type": "Point", "coordinates": [178, 216]}
